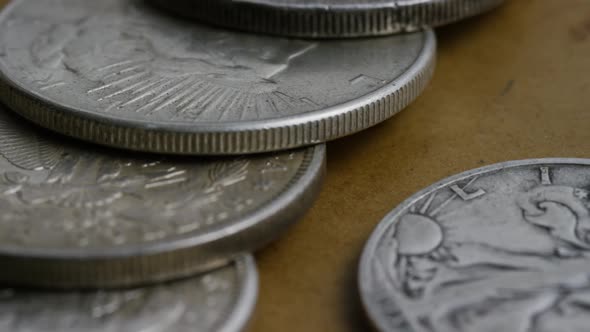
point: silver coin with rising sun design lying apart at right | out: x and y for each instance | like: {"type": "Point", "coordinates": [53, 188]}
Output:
{"type": "Point", "coordinates": [500, 248]}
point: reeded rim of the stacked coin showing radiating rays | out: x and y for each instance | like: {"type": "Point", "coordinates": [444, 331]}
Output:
{"type": "Point", "coordinates": [216, 138]}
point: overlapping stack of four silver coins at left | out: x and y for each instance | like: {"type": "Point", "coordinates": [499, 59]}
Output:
{"type": "Point", "coordinates": [152, 145]}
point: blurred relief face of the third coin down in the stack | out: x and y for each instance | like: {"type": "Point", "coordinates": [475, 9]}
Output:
{"type": "Point", "coordinates": [93, 199]}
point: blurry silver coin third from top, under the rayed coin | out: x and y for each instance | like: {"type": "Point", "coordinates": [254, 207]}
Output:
{"type": "Point", "coordinates": [81, 216]}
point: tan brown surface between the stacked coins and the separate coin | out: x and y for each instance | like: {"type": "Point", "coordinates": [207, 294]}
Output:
{"type": "Point", "coordinates": [512, 84]}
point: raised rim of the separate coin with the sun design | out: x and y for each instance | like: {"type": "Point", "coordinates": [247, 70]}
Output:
{"type": "Point", "coordinates": [365, 274]}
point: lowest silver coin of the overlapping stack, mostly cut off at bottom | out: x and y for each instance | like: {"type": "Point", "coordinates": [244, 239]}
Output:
{"type": "Point", "coordinates": [220, 301]}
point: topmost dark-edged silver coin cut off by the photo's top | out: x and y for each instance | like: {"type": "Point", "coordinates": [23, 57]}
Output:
{"type": "Point", "coordinates": [328, 18]}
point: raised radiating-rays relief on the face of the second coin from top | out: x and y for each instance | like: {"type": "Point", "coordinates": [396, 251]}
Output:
{"type": "Point", "coordinates": [173, 74]}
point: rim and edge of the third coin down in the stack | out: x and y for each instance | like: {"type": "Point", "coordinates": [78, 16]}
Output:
{"type": "Point", "coordinates": [180, 257]}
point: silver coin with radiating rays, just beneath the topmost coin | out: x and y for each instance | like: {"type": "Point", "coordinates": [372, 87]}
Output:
{"type": "Point", "coordinates": [119, 73]}
